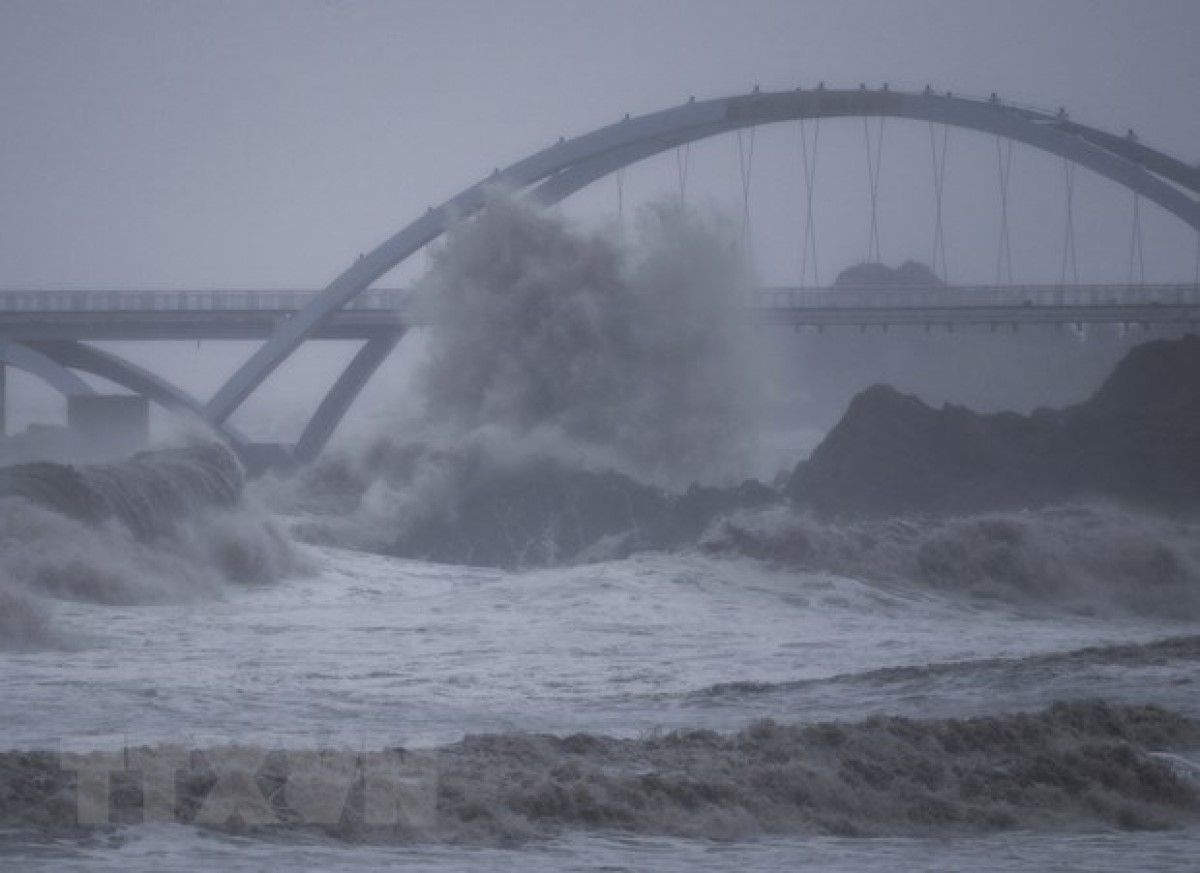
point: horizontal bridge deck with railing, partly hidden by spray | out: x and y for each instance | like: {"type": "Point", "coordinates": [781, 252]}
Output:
{"type": "Point", "coordinates": [123, 316]}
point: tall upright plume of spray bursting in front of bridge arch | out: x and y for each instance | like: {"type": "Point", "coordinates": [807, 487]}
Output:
{"type": "Point", "coordinates": [635, 356]}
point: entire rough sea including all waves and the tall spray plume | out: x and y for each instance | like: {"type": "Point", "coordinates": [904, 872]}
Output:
{"type": "Point", "coordinates": [1009, 693]}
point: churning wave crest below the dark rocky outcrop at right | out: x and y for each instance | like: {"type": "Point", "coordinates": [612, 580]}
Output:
{"type": "Point", "coordinates": [1088, 559]}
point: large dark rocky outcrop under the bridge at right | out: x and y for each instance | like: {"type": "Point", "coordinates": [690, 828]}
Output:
{"type": "Point", "coordinates": [1136, 441]}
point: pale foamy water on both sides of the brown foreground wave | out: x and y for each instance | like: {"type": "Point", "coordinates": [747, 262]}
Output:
{"type": "Point", "coordinates": [368, 652]}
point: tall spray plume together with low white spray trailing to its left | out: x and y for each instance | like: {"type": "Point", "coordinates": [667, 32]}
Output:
{"type": "Point", "coordinates": [553, 345]}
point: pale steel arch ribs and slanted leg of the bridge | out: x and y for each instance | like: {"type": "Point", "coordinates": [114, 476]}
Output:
{"type": "Point", "coordinates": [571, 165]}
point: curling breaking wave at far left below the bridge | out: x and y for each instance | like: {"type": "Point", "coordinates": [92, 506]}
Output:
{"type": "Point", "coordinates": [164, 526]}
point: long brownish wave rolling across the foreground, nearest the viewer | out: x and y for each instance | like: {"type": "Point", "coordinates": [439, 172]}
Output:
{"type": "Point", "coordinates": [1079, 764]}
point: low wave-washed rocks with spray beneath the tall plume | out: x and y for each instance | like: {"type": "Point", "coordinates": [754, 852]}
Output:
{"type": "Point", "coordinates": [472, 507]}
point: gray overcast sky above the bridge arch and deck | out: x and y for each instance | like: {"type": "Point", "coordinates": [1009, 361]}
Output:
{"type": "Point", "coordinates": [267, 143]}
